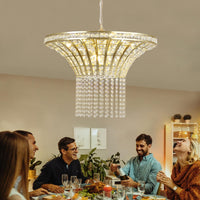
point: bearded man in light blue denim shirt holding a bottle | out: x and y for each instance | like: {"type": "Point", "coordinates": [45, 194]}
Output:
{"type": "Point", "coordinates": [143, 167]}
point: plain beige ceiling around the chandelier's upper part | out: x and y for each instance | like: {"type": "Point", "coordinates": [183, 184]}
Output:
{"type": "Point", "coordinates": [173, 64]}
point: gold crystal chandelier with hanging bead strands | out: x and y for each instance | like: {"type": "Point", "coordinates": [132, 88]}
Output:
{"type": "Point", "coordinates": [100, 60]}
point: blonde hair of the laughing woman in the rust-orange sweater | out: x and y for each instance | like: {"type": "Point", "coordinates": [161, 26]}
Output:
{"type": "Point", "coordinates": [193, 156]}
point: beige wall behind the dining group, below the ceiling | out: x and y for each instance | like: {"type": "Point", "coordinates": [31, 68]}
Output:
{"type": "Point", "coordinates": [46, 108]}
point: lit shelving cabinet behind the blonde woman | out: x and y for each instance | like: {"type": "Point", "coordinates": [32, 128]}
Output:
{"type": "Point", "coordinates": [174, 132]}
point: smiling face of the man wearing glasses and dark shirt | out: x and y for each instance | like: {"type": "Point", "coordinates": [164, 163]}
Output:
{"type": "Point", "coordinates": [70, 154]}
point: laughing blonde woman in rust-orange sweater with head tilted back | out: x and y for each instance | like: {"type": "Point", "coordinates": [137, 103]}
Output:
{"type": "Point", "coordinates": [184, 183]}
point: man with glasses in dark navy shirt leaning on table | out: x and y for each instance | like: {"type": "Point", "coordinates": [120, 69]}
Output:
{"type": "Point", "coordinates": [67, 163]}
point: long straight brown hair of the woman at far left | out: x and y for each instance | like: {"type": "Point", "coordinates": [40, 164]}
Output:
{"type": "Point", "coordinates": [14, 161]}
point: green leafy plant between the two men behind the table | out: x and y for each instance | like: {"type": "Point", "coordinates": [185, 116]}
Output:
{"type": "Point", "coordinates": [91, 164]}
